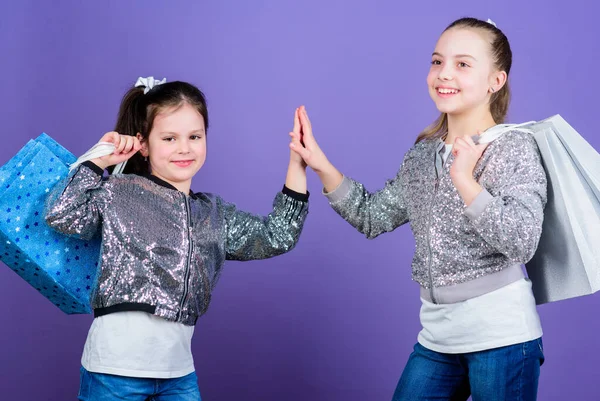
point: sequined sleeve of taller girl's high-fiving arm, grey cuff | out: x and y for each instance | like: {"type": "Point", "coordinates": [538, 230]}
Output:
{"type": "Point", "coordinates": [371, 214]}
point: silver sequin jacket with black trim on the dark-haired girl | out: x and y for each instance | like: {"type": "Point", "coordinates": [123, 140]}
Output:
{"type": "Point", "coordinates": [162, 250]}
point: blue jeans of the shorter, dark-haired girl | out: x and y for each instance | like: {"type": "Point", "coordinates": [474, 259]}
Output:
{"type": "Point", "coordinates": [103, 387]}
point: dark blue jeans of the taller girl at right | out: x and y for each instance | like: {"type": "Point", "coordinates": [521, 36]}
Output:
{"type": "Point", "coordinates": [501, 374]}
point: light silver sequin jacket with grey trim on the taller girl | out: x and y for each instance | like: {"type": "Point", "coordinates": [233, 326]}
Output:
{"type": "Point", "coordinates": [460, 252]}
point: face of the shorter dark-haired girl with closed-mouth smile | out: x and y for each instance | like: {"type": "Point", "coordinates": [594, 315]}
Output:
{"type": "Point", "coordinates": [176, 146]}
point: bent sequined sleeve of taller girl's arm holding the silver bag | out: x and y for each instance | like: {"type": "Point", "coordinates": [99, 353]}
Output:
{"type": "Point", "coordinates": [509, 212]}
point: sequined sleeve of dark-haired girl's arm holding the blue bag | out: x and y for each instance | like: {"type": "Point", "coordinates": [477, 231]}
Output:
{"type": "Point", "coordinates": [70, 207]}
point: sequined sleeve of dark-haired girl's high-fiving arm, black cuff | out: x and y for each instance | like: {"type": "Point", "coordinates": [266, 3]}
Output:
{"type": "Point", "coordinates": [250, 237]}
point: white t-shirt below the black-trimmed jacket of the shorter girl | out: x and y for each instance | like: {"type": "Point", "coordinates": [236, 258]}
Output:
{"type": "Point", "coordinates": [138, 344]}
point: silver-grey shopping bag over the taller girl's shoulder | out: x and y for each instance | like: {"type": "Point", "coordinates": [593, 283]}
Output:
{"type": "Point", "coordinates": [567, 261]}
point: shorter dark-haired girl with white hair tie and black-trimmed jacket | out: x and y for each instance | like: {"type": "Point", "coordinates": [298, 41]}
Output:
{"type": "Point", "coordinates": [163, 246]}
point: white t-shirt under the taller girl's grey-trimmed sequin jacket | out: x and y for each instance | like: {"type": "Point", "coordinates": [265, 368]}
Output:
{"type": "Point", "coordinates": [506, 316]}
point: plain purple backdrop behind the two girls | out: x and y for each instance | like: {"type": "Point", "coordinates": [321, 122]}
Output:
{"type": "Point", "coordinates": [337, 318]}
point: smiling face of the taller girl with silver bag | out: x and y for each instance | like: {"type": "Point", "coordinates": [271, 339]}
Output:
{"type": "Point", "coordinates": [463, 72]}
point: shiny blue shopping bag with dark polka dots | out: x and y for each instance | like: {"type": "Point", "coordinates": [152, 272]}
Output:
{"type": "Point", "coordinates": [61, 268]}
